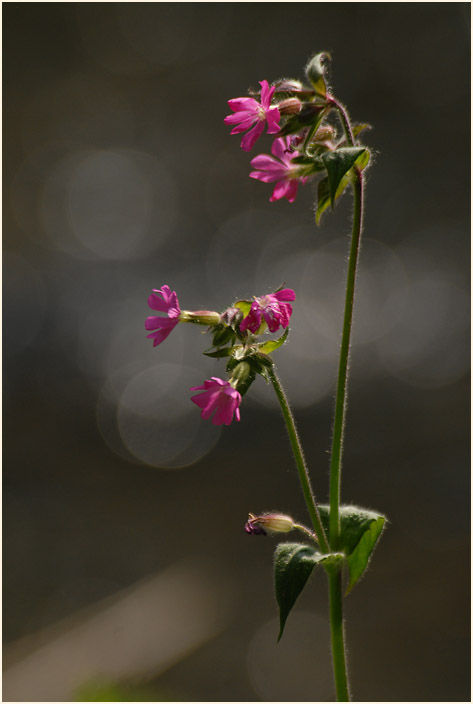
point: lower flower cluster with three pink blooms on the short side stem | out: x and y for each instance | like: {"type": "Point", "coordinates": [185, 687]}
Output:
{"type": "Point", "coordinates": [235, 336]}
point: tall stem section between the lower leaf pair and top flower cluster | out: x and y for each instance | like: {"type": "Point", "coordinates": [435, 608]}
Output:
{"type": "Point", "coordinates": [341, 394]}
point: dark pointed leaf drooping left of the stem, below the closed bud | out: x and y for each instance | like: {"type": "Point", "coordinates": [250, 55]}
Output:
{"type": "Point", "coordinates": [293, 565]}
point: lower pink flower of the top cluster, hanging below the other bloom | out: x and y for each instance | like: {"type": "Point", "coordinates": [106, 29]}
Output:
{"type": "Point", "coordinates": [279, 169]}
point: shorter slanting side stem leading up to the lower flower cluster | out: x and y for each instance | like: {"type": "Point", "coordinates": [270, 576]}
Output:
{"type": "Point", "coordinates": [300, 460]}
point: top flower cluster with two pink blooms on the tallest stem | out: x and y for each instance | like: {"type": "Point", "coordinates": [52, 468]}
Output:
{"type": "Point", "coordinates": [298, 116]}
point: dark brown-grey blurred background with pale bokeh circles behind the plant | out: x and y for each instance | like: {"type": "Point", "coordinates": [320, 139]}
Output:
{"type": "Point", "coordinates": [127, 573]}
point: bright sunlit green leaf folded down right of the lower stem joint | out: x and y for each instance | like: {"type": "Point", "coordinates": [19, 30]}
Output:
{"type": "Point", "coordinates": [360, 530]}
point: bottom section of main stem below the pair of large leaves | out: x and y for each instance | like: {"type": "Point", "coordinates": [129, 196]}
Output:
{"type": "Point", "coordinates": [338, 636]}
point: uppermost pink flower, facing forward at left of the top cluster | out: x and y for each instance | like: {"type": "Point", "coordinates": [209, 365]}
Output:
{"type": "Point", "coordinates": [250, 113]}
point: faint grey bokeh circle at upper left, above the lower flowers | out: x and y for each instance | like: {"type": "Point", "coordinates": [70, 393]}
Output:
{"type": "Point", "coordinates": [108, 204]}
